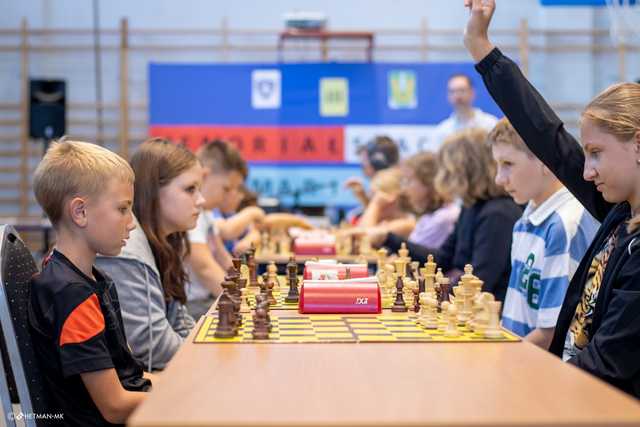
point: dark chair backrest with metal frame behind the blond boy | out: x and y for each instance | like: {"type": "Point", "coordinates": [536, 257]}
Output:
{"type": "Point", "coordinates": [25, 382]}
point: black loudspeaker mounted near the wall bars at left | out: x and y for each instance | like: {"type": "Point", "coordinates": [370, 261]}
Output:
{"type": "Point", "coordinates": [47, 109]}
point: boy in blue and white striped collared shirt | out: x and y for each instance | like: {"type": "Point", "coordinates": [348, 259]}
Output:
{"type": "Point", "coordinates": [548, 241]}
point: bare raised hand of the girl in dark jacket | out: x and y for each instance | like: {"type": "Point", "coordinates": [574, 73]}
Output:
{"type": "Point", "coordinates": [476, 38]}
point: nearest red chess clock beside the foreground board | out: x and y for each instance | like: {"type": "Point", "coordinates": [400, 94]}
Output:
{"type": "Point", "coordinates": [340, 296]}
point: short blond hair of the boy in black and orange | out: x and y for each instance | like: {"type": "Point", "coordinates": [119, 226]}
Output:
{"type": "Point", "coordinates": [75, 168]}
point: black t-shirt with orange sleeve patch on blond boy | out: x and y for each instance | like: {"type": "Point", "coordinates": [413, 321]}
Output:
{"type": "Point", "coordinates": [77, 327]}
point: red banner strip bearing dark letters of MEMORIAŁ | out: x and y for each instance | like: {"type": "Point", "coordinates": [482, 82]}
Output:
{"type": "Point", "coordinates": [292, 144]}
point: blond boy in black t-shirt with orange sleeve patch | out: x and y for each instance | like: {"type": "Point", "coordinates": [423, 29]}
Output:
{"type": "Point", "coordinates": [74, 315]}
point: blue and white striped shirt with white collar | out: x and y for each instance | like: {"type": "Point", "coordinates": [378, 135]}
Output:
{"type": "Point", "coordinates": [548, 244]}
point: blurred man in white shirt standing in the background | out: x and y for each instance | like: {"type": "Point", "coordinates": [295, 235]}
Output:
{"type": "Point", "coordinates": [461, 95]}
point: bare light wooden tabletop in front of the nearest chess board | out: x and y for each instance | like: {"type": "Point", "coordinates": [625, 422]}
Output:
{"type": "Point", "coordinates": [390, 384]}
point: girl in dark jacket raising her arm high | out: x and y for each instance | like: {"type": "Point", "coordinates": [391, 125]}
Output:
{"type": "Point", "coordinates": [598, 328]}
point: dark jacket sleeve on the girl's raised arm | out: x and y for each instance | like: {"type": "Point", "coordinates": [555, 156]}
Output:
{"type": "Point", "coordinates": [540, 128]}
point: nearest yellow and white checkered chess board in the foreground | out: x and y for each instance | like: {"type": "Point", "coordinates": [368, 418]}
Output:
{"type": "Point", "coordinates": [391, 327]}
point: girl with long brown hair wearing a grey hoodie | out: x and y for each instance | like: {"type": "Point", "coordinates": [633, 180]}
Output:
{"type": "Point", "coordinates": [149, 272]}
